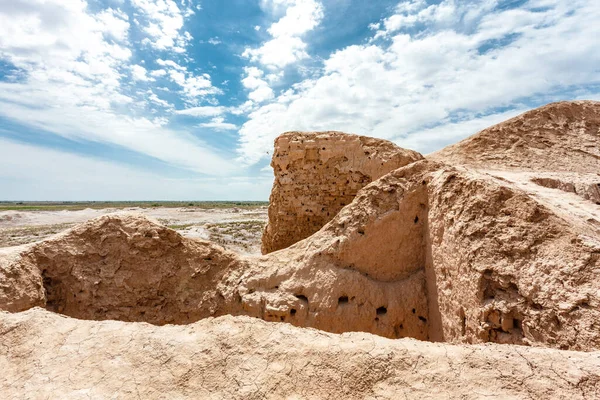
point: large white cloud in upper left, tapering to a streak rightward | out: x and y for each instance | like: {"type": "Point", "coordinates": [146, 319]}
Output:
{"type": "Point", "coordinates": [71, 72]}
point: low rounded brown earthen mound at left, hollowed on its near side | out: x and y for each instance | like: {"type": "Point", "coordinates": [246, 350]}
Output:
{"type": "Point", "coordinates": [119, 266]}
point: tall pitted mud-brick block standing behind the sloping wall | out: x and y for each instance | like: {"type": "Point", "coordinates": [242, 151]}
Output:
{"type": "Point", "coordinates": [317, 174]}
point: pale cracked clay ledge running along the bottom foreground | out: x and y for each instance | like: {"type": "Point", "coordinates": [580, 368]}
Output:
{"type": "Point", "coordinates": [44, 355]}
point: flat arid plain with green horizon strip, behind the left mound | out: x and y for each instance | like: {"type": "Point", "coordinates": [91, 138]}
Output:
{"type": "Point", "coordinates": [235, 225]}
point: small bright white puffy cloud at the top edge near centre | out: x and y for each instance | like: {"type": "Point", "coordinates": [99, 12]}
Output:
{"type": "Point", "coordinates": [286, 45]}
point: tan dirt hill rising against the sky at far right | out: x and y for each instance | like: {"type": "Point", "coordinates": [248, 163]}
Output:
{"type": "Point", "coordinates": [562, 136]}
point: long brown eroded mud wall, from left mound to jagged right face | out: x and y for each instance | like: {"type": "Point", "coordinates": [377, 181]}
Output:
{"type": "Point", "coordinates": [429, 251]}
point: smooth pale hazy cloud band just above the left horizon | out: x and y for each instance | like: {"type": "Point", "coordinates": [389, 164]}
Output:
{"type": "Point", "coordinates": [33, 173]}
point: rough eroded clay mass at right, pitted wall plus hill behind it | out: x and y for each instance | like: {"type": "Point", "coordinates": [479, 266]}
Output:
{"type": "Point", "coordinates": [522, 213]}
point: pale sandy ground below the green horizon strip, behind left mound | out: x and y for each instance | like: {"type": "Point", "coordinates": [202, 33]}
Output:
{"type": "Point", "coordinates": [237, 229]}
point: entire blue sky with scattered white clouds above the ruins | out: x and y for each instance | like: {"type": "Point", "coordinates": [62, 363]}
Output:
{"type": "Point", "coordinates": [182, 99]}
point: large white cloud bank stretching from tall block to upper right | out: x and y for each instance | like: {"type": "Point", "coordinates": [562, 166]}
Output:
{"type": "Point", "coordinates": [460, 64]}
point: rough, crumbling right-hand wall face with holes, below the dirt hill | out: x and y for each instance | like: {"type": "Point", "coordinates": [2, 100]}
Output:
{"type": "Point", "coordinates": [508, 269]}
